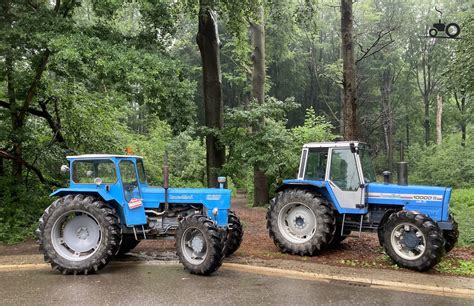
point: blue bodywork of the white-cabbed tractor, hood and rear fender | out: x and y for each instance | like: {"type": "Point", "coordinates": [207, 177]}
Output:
{"type": "Point", "coordinates": [433, 201]}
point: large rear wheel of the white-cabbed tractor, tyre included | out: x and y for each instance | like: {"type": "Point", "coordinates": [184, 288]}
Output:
{"type": "Point", "coordinates": [300, 222]}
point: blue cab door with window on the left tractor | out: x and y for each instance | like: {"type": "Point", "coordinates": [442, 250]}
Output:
{"type": "Point", "coordinates": [132, 199]}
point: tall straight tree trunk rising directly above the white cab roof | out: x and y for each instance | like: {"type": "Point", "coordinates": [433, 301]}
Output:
{"type": "Point", "coordinates": [349, 111]}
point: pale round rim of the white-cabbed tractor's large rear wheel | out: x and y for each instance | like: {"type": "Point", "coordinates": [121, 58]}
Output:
{"type": "Point", "coordinates": [297, 222]}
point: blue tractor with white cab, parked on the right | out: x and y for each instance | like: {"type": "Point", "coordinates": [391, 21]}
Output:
{"type": "Point", "coordinates": [336, 194]}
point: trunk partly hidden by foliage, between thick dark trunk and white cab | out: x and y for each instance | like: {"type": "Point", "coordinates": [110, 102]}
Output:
{"type": "Point", "coordinates": [260, 180]}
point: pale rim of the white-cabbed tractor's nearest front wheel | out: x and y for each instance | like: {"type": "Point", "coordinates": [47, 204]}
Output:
{"type": "Point", "coordinates": [408, 241]}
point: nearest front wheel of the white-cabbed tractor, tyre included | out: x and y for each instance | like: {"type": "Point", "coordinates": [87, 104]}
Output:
{"type": "Point", "coordinates": [413, 240]}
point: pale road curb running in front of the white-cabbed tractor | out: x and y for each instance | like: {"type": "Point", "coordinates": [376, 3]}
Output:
{"type": "Point", "coordinates": [374, 283]}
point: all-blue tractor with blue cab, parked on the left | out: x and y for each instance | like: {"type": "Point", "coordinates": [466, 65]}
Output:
{"type": "Point", "coordinates": [109, 208]}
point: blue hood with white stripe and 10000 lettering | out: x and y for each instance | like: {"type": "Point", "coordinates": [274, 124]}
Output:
{"type": "Point", "coordinates": [434, 200]}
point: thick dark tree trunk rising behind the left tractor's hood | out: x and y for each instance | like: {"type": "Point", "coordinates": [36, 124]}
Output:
{"type": "Point", "coordinates": [208, 41]}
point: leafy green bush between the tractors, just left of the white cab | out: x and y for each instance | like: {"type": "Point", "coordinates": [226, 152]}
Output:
{"type": "Point", "coordinates": [256, 135]}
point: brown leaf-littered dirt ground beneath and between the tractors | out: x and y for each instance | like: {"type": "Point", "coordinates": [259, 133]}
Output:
{"type": "Point", "coordinates": [356, 252]}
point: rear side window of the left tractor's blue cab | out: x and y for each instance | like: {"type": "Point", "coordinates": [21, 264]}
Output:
{"type": "Point", "coordinates": [86, 171]}
